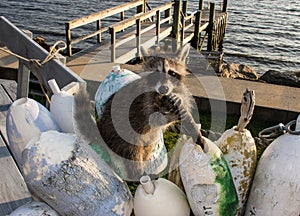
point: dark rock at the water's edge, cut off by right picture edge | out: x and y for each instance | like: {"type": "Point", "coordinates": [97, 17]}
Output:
{"type": "Point", "coordinates": [287, 78]}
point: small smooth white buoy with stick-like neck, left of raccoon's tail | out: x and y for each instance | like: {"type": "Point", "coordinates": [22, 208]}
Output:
{"type": "Point", "coordinates": [61, 107]}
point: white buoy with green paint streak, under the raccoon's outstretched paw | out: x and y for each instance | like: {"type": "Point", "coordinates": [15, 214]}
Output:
{"type": "Point", "coordinates": [207, 180]}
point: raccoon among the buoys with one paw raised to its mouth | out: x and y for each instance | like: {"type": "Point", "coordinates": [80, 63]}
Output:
{"type": "Point", "coordinates": [135, 116]}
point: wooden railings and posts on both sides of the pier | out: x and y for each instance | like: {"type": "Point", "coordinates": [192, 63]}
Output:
{"type": "Point", "coordinates": [186, 26]}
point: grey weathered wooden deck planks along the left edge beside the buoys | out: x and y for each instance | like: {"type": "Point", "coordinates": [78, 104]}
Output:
{"type": "Point", "coordinates": [14, 191]}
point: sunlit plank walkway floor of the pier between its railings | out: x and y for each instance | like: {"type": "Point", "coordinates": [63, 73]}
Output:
{"type": "Point", "coordinates": [96, 61]}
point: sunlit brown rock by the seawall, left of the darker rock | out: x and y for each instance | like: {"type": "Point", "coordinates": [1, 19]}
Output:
{"type": "Point", "coordinates": [238, 71]}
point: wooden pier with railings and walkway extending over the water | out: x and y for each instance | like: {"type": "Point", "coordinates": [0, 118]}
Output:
{"type": "Point", "coordinates": [147, 29]}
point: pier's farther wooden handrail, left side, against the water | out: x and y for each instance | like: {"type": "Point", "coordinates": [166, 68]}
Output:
{"type": "Point", "coordinates": [140, 6]}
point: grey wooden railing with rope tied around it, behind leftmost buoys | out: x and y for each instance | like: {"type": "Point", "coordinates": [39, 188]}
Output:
{"type": "Point", "coordinates": [19, 43]}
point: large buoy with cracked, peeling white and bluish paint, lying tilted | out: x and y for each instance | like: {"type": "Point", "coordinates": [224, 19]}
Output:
{"type": "Point", "coordinates": [72, 178]}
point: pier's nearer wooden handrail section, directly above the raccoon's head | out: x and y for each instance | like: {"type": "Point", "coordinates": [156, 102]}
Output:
{"type": "Point", "coordinates": [154, 14]}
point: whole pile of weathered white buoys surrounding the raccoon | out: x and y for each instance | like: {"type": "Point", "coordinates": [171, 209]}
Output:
{"type": "Point", "coordinates": [70, 178]}
